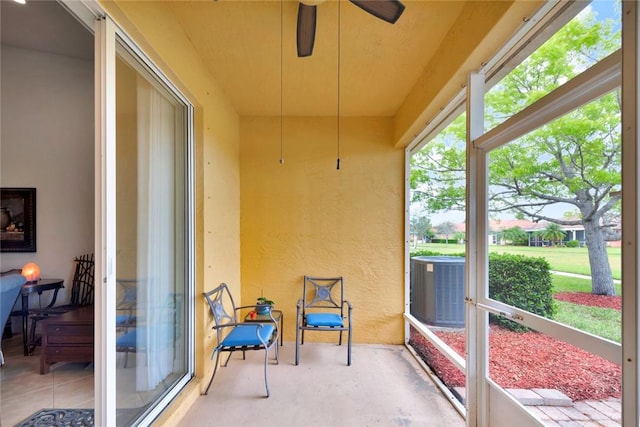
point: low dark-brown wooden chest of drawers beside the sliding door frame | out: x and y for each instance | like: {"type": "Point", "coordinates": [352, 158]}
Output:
{"type": "Point", "coordinates": [67, 337]}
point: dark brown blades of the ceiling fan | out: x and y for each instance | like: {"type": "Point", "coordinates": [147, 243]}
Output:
{"type": "Point", "coordinates": [387, 10]}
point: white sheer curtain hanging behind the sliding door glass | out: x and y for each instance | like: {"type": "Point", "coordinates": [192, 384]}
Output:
{"type": "Point", "coordinates": [156, 238]}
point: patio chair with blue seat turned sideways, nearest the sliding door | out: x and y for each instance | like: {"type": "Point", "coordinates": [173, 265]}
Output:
{"type": "Point", "coordinates": [232, 335]}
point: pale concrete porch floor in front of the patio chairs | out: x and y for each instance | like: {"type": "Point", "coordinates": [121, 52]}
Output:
{"type": "Point", "coordinates": [384, 386]}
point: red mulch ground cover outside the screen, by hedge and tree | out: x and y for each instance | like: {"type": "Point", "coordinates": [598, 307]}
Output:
{"type": "Point", "coordinates": [533, 360]}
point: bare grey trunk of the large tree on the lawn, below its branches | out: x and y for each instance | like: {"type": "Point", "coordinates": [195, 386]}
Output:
{"type": "Point", "coordinates": [601, 278]}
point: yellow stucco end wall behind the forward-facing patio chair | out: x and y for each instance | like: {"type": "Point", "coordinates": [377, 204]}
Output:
{"type": "Point", "coordinates": [306, 217]}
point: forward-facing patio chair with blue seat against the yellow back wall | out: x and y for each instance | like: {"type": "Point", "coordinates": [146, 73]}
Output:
{"type": "Point", "coordinates": [322, 309]}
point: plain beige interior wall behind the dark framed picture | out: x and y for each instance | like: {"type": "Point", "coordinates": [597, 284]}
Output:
{"type": "Point", "coordinates": [47, 143]}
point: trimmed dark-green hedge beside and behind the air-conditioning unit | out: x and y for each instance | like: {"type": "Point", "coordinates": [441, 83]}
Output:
{"type": "Point", "coordinates": [521, 281]}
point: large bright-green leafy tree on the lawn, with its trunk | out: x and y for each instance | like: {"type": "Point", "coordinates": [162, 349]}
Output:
{"type": "Point", "coordinates": [574, 160]}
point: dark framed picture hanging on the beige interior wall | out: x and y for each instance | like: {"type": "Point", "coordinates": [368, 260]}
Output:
{"type": "Point", "coordinates": [17, 220]}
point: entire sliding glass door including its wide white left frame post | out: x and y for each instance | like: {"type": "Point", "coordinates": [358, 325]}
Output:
{"type": "Point", "coordinates": [143, 231]}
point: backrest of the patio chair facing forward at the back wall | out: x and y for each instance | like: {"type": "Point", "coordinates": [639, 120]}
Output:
{"type": "Point", "coordinates": [323, 293]}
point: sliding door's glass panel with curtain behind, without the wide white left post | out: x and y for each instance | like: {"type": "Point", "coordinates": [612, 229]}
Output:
{"type": "Point", "coordinates": [151, 234]}
